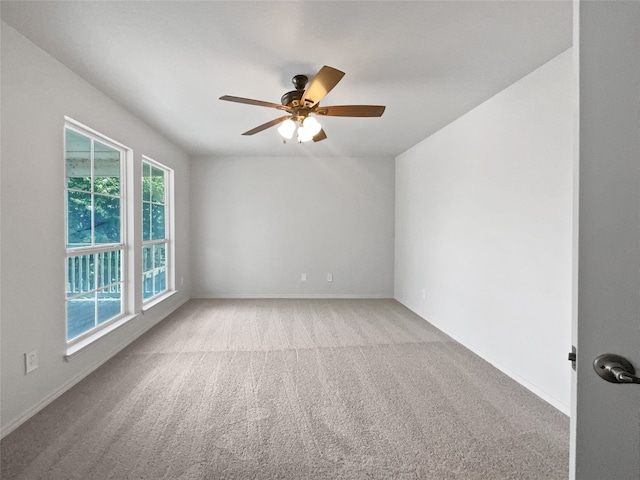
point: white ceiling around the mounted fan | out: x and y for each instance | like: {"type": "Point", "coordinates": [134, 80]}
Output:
{"type": "Point", "coordinates": [169, 61]}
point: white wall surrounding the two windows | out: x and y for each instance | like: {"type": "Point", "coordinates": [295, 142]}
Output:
{"type": "Point", "coordinates": [37, 92]}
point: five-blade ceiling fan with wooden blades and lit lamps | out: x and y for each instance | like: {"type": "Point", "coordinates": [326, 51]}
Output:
{"type": "Point", "coordinates": [301, 103]}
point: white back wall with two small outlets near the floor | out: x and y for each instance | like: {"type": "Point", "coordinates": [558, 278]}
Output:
{"type": "Point", "coordinates": [259, 223]}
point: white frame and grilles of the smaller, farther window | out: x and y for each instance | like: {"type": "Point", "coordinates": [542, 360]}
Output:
{"type": "Point", "coordinates": [167, 240]}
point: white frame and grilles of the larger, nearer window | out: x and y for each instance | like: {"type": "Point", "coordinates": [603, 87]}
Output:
{"type": "Point", "coordinates": [97, 249]}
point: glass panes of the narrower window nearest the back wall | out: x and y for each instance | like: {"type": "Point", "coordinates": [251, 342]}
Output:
{"type": "Point", "coordinates": [156, 255]}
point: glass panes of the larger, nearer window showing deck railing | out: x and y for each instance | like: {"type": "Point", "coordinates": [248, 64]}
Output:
{"type": "Point", "coordinates": [94, 231]}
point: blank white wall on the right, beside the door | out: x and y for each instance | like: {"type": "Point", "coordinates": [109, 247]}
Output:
{"type": "Point", "coordinates": [484, 226]}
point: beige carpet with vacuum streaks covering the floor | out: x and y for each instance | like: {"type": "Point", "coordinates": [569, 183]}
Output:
{"type": "Point", "coordinates": [292, 389]}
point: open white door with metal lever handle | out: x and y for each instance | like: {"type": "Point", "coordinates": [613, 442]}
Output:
{"type": "Point", "coordinates": [606, 416]}
